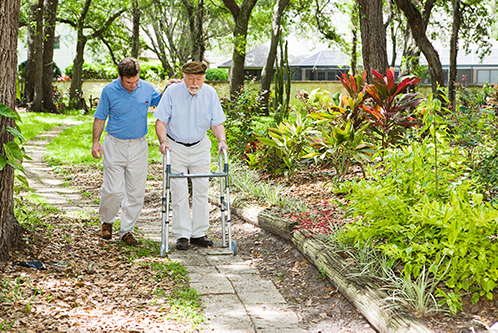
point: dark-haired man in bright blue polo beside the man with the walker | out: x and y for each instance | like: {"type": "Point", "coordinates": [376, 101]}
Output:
{"type": "Point", "coordinates": [125, 103]}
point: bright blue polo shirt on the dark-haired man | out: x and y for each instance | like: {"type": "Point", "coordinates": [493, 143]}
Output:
{"type": "Point", "coordinates": [127, 112]}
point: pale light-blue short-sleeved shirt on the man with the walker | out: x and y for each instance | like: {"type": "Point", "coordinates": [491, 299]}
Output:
{"type": "Point", "coordinates": [189, 117]}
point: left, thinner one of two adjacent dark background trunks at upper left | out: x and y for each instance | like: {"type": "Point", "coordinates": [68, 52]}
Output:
{"type": "Point", "coordinates": [38, 92]}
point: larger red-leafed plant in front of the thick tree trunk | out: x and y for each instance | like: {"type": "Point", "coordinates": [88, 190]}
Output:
{"type": "Point", "coordinates": [390, 102]}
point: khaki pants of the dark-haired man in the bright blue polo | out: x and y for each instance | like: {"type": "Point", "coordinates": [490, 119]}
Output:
{"type": "Point", "coordinates": [125, 176]}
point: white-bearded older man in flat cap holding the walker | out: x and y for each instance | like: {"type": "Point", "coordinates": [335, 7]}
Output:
{"type": "Point", "coordinates": [184, 115]}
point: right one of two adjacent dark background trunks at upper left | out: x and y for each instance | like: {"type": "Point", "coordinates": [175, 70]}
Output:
{"type": "Point", "coordinates": [48, 54]}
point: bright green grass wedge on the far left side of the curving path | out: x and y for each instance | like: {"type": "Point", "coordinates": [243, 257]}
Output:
{"type": "Point", "coordinates": [34, 123]}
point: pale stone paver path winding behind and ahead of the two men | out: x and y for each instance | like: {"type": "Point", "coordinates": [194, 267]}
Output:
{"type": "Point", "coordinates": [236, 298]}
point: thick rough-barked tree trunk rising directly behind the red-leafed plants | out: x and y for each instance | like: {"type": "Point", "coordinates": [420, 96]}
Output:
{"type": "Point", "coordinates": [373, 36]}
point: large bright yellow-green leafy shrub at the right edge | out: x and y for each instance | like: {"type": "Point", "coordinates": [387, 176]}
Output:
{"type": "Point", "coordinates": [411, 217]}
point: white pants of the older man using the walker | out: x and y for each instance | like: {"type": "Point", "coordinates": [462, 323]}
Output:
{"type": "Point", "coordinates": [194, 160]}
